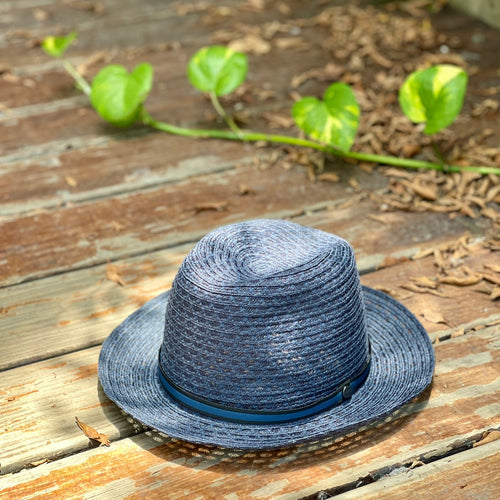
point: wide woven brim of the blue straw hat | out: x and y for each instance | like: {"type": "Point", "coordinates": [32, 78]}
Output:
{"type": "Point", "coordinates": [402, 367]}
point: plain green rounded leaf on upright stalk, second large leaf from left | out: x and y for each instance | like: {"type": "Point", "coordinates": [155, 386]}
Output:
{"type": "Point", "coordinates": [217, 69]}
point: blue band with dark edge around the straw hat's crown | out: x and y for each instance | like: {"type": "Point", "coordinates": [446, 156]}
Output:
{"type": "Point", "coordinates": [202, 405]}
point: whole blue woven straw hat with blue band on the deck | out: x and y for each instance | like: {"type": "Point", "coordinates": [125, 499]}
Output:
{"type": "Point", "coordinates": [266, 339]}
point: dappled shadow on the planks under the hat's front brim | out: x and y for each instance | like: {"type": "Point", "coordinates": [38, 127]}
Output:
{"type": "Point", "coordinates": [228, 460]}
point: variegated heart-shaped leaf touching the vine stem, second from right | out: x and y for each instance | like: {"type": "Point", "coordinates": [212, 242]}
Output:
{"type": "Point", "coordinates": [334, 120]}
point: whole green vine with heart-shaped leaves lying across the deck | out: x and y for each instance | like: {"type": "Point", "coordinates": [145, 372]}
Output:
{"type": "Point", "coordinates": [433, 96]}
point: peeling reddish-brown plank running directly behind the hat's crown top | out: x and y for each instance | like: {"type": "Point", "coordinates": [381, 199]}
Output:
{"type": "Point", "coordinates": [88, 234]}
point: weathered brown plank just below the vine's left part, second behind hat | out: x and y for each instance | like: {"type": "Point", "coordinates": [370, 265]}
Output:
{"type": "Point", "coordinates": [112, 168]}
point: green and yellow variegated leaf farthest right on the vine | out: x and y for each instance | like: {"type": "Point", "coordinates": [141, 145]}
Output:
{"type": "Point", "coordinates": [434, 96]}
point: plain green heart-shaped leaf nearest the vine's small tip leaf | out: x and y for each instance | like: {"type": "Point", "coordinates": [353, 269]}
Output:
{"type": "Point", "coordinates": [118, 95]}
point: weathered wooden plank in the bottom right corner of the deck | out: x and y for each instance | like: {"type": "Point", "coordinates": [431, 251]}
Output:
{"type": "Point", "coordinates": [473, 473]}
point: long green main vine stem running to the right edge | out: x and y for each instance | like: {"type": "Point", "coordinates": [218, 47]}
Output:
{"type": "Point", "coordinates": [248, 136]}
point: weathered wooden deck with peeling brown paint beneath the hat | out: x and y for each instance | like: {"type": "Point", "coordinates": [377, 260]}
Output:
{"type": "Point", "coordinates": [82, 204]}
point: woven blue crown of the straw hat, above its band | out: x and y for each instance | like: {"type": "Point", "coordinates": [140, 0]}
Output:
{"type": "Point", "coordinates": [265, 315]}
